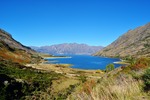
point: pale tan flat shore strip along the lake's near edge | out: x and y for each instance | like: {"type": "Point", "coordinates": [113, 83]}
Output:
{"type": "Point", "coordinates": [66, 70]}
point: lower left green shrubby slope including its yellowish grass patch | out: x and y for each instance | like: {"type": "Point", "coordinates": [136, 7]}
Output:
{"type": "Point", "coordinates": [20, 82]}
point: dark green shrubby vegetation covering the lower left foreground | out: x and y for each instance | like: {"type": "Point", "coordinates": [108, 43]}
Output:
{"type": "Point", "coordinates": [18, 81]}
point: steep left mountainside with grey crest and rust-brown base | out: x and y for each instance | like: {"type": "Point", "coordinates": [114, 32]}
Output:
{"type": "Point", "coordinates": [10, 49]}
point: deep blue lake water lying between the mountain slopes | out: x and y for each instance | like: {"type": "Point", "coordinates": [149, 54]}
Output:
{"type": "Point", "coordinates": [85, 61]}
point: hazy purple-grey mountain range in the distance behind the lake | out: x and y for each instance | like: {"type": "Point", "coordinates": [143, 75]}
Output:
{"type": "Point", "coordinates": [68, 48]}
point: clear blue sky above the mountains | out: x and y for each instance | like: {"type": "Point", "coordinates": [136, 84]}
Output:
{"type": "Point", "coordinates": [94, 22]}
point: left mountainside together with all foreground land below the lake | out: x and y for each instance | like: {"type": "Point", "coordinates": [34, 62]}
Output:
{"type": "Point", "coordinates": [59, 82]}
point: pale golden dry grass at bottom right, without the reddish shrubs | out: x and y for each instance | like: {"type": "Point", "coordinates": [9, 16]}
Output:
{"type": "Point", "coordinates": [110, 90]}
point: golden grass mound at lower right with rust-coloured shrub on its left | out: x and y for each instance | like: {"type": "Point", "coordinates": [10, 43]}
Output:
{"type": "Point", "coordinates": [112, 88]}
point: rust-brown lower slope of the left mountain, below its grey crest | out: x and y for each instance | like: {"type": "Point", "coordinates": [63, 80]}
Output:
{"type": "Point", "coordinates": [17, 55]}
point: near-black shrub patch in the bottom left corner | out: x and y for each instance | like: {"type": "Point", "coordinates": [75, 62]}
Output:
{"type": "Point", "coordinates": [10, 89]}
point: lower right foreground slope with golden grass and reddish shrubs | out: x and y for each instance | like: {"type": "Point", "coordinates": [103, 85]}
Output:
{"type": "Point", "coordinates": [124, 83]}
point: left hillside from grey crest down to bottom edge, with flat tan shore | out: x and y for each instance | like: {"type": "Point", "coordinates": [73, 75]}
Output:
{"type": "Point", "coordinates": [22, 81]}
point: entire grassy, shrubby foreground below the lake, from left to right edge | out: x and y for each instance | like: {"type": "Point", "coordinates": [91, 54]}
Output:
{"type": "Point", "coordinates": [124, 83]}
